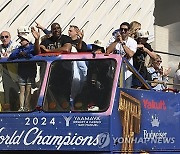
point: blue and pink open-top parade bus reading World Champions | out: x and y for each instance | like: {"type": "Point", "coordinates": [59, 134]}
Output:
{"type": "Point", "coordinates": [79, 104]}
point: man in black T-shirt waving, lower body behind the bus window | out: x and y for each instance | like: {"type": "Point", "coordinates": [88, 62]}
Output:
{"type": "Point", "coordinates": [60, 84]}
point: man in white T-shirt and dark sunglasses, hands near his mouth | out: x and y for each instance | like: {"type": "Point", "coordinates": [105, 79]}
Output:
{"type": "Point", "coordinates": [122, 44]}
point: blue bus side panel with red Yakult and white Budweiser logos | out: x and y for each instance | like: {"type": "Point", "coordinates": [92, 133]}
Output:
{"type": "Point", "coordinates": [159, 123]}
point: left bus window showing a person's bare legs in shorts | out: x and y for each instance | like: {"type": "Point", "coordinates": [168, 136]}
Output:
{"type": "Point", "coordinates": [19, 85]}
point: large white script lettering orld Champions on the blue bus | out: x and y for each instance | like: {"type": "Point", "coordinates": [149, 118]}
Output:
{"type": "Point", "coordinates": [35, 136]}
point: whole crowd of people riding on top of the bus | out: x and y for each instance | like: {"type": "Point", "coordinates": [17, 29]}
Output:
{"type": "Point", "coordinates": [128, 40]}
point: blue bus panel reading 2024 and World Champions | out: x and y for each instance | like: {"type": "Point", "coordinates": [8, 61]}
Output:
{"type": "Point", "coordinates": [55, 131]}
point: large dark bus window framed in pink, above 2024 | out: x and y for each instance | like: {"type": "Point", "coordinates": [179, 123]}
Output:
{"type": "Point", "coordinates": [80, 85]}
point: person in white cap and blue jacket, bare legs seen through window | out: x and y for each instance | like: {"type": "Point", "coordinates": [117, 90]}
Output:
{"type": "Point", "coordinates": [26, 71]}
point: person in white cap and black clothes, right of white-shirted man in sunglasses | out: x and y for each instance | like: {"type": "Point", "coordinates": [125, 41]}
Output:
{"type": "Point", "coordinates": [143, 49]}
